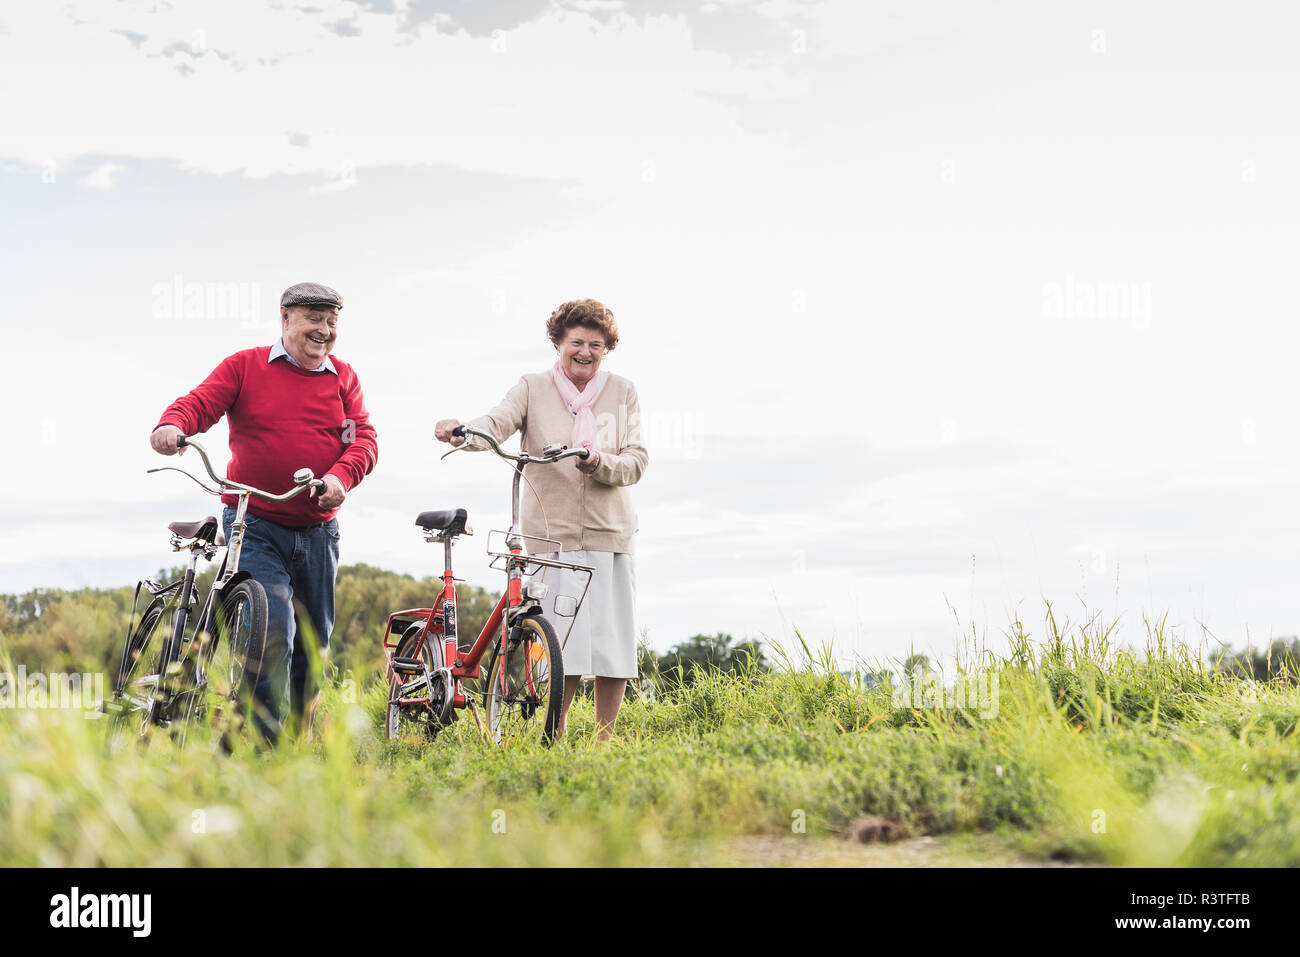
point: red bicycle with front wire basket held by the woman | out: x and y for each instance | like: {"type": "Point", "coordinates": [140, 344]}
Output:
{"type": "Point", "coordinates": [526, 672]}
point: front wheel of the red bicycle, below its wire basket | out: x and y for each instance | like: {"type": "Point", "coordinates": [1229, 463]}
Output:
{"type": "Point", "coordinates": [526, 685]}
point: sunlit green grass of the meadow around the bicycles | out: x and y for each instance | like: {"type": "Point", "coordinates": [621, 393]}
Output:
{"type": "Point", "coordinates": [1182, 765]}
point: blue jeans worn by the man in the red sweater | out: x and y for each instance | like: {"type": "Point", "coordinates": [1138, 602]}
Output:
{"type": "Point", "coordinates": [297, 566]}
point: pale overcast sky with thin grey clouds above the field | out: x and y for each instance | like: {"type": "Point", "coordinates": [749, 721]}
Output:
{"type": "Point", "coordinates": [938, 311]}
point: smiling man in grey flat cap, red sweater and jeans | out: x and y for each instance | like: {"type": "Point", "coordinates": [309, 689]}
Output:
{"type": "Point", "coordinates": [291, 405]}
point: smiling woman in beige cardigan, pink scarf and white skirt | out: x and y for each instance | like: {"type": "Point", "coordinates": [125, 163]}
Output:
{"type": "Point", "coordinates": [587, 504]}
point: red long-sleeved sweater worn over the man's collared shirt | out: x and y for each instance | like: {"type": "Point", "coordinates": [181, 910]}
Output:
{"type": "Point", "coordinates": [283, 418]}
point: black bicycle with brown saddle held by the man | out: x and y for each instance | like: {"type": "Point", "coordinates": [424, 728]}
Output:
{"type": "Point", "coordinates": [171, 675]}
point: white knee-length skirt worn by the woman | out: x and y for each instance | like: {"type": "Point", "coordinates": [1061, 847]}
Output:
{"type": "Point", "coordinates": [604, 639]}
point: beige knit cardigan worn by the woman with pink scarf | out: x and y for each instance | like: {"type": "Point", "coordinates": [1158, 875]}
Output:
{"type": "Point", "coordinates": [583, 512]}
